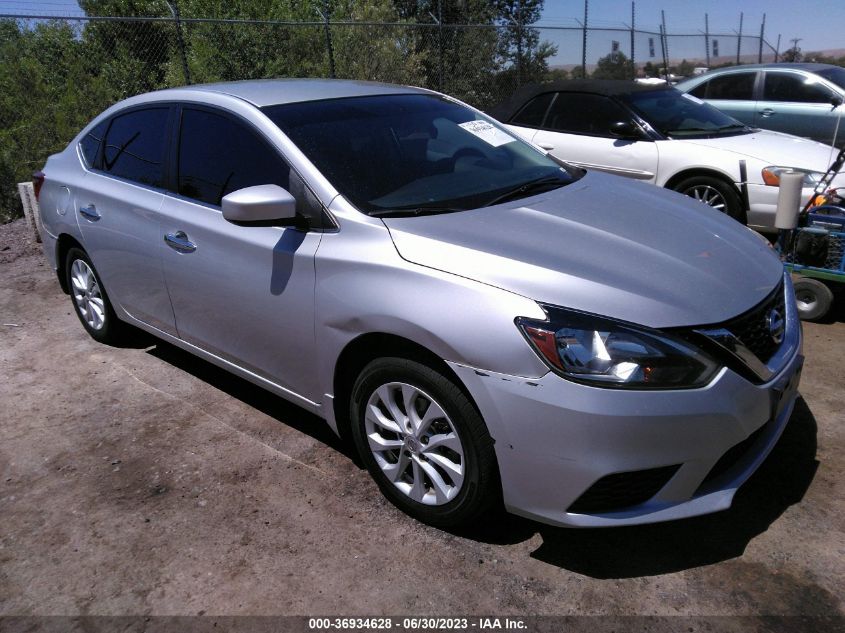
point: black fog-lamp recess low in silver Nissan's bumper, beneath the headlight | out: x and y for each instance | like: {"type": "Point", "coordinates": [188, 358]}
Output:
{"type": "Point", "coordinates": [622, 490]}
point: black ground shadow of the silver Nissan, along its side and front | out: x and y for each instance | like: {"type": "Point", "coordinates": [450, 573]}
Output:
{"type": "Point", "coordinates": [781, 481]}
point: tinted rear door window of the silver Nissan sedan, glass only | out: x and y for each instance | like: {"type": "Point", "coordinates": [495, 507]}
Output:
{"type": "Point", "coordinates": [135, 144]}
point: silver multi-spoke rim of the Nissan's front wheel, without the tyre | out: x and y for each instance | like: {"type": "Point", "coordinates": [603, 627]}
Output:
{"type": "Point", "coordinates": [414, 443]}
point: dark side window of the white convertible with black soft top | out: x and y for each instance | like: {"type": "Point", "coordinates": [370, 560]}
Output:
{"type": "Point", "coordinates": [583, 113]}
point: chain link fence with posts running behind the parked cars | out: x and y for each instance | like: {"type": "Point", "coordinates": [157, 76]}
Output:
{"type": "Point", "coordinates": [57, 73]}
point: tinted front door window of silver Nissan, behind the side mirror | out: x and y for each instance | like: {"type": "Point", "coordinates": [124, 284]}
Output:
{"type": "Point", "coordinates": [218, 155]}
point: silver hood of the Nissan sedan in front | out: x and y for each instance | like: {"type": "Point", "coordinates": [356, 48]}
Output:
{"type": "Point", "coordinates": [603, 245]}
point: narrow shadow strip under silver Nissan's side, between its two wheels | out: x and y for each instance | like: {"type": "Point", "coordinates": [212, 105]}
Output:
{"type": "Point", "coordinates": [256, 397]}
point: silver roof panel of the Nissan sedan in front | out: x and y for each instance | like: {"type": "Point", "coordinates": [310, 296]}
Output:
{"type": "Point", "coordinates": [265, 92]}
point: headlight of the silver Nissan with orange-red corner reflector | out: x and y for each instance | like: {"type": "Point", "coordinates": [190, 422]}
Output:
{"type": "Point", "coordinates": [607, 353]}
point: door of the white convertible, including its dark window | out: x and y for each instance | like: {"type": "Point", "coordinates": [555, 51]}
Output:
{"type": "Point", "coordinates": [577, 129]}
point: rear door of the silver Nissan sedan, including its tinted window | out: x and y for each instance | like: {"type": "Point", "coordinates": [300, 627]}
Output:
{"type": "Point", "coordinates": [118, 206]}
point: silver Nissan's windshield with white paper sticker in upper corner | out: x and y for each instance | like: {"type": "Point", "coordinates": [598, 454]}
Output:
{"type": "Point", "coordinates": [395, 152]}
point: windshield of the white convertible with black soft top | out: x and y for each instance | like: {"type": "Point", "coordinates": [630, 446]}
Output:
{"type": "Point", "coordinates": [676, 114]}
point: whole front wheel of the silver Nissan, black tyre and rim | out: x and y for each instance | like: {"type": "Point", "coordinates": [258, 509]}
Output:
{"type": "Point", "coordinates": [424, 443]}
